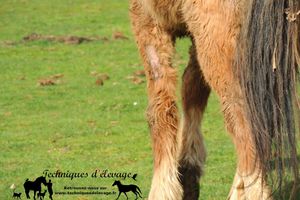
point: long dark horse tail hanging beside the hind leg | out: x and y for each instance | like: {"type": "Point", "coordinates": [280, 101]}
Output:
{"type": "Point", "coordinates": [267, 63]}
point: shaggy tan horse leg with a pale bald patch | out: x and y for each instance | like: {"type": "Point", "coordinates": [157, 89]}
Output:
{"type": "Point", "coordinates": [156, 48]}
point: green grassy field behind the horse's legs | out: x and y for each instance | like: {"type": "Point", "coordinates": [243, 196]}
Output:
{"type": "Point", "coordinates": [77, 125]}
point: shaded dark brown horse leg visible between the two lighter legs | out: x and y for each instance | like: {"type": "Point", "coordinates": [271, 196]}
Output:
{"type": "Point", "coordinates": [195, 93]}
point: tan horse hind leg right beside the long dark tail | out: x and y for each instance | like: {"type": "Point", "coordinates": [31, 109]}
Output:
{"type": "Point", "coordinates": [215, 35]}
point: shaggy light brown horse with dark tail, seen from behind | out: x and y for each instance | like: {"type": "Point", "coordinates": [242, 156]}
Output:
{"type": "Point", "coordinates": [248, 53]}
